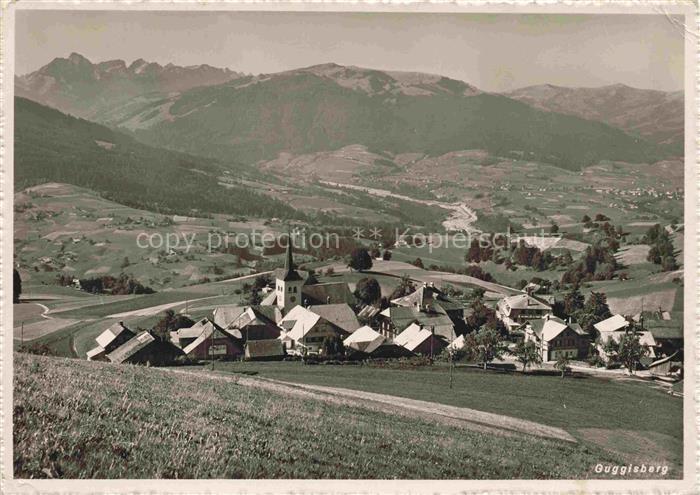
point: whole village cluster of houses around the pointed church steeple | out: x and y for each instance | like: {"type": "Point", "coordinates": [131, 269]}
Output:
{"type": "Point", "coordinates": [299, 318]}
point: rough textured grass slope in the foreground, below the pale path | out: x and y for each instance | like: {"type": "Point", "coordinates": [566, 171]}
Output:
{"type": "Point", "coordinates": [78, 419]}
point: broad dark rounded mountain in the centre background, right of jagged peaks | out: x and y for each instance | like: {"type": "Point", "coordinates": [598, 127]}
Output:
{"type": "Point", "coordinates": [302, 111]}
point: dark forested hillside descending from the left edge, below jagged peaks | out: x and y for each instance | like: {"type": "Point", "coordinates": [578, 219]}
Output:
{"type": "Point", "coordinates": [53, 147]}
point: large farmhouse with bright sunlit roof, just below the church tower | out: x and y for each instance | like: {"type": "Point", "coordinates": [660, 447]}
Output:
{"type": "Point", "coordinates": [304, 328]}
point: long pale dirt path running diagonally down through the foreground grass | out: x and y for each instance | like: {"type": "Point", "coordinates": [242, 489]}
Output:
{"type": "Point", "coordinates": [430, 411]}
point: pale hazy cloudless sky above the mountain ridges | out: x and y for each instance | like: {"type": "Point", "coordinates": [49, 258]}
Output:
{"type": "Point", "coordinates": [495, 52]}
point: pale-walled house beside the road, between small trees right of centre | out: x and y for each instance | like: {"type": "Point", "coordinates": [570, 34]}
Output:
{"type": "Point", "coordinates": [555, 338]}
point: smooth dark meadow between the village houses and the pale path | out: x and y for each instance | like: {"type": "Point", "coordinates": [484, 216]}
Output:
{"type": "Point", "coordinates": [576, 404]}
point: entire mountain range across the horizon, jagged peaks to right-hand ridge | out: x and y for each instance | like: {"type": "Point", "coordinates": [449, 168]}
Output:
{"type": "Point", "coordinates": [221, 114]}
